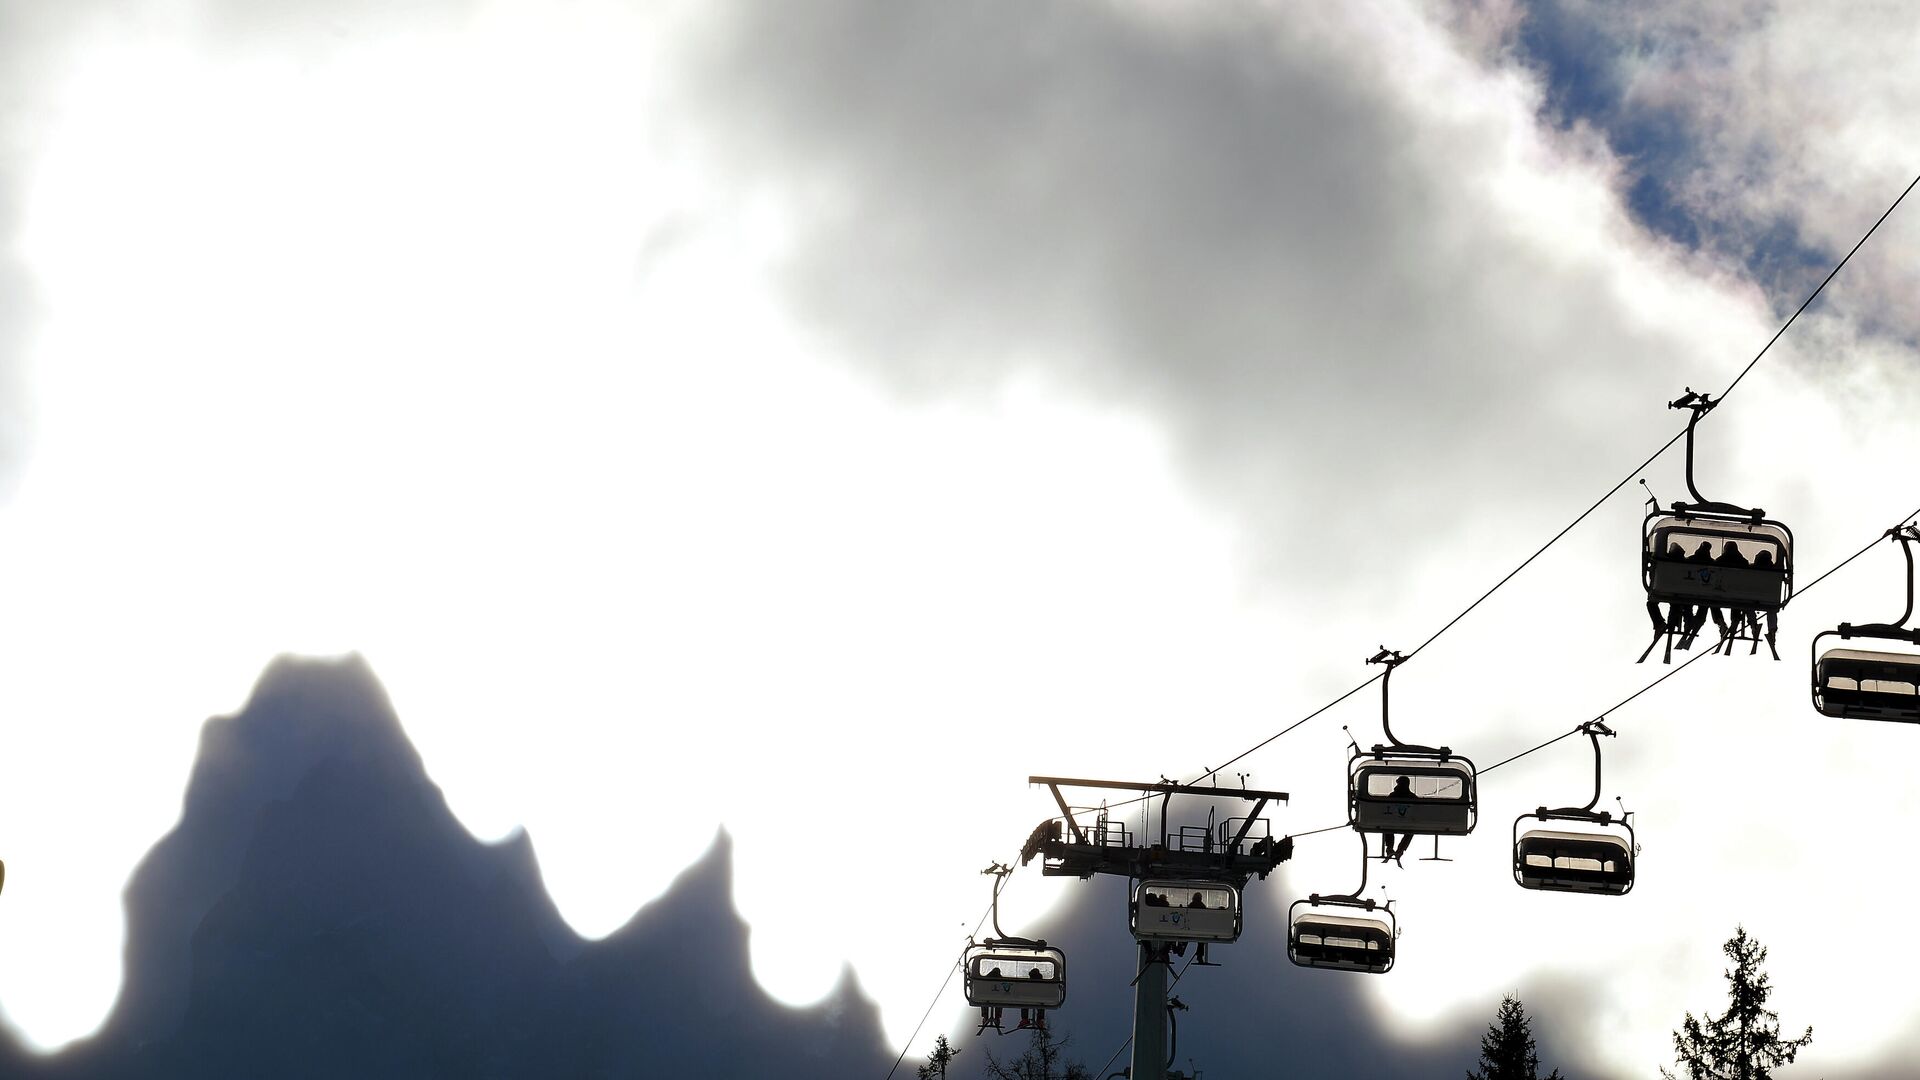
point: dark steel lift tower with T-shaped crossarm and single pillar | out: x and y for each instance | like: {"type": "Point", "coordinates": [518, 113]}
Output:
{"type": "Point", "coordinates": [1205, 860]}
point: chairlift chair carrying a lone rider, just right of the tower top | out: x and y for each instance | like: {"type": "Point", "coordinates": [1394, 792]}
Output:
{"type": "Point", "coordinates": [1414, 791]}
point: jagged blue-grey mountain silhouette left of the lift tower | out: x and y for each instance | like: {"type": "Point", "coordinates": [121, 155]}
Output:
{"type": "Point", "coordinates": [320, 912]}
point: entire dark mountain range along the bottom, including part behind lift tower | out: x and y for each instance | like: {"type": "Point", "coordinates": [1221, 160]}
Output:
{"type": "Point", "coordinates": [320, 912]}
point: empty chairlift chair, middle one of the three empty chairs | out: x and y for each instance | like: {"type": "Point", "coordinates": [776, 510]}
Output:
{"type": "Point", "coordinates": [1579, 848]}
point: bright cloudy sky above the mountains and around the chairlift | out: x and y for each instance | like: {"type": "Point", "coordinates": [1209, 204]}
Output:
{"type": "Point", "coordinates": [813, 420]}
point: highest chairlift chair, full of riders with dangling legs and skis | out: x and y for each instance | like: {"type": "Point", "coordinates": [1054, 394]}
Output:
{"type": "Point", "coordinates": [1712, 558]}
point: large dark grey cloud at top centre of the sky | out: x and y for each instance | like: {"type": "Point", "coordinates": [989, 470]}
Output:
{"type": "Point", "coordinates": [1237, 226]}
